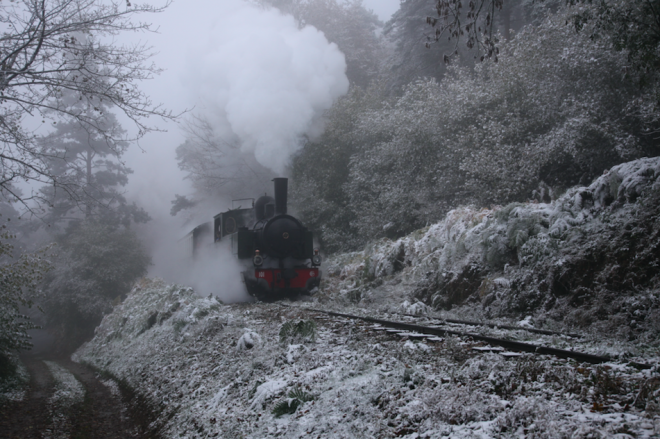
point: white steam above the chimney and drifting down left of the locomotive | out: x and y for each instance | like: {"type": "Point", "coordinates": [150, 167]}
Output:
{"type": "Point", "coordinates": [260, 81]}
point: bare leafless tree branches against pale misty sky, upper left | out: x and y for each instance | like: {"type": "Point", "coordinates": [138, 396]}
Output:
{"type": "Point", "coordinates": [60, 58]}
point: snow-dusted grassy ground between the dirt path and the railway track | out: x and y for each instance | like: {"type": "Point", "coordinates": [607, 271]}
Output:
{"type": "Point", "coordinates": [184, 353]}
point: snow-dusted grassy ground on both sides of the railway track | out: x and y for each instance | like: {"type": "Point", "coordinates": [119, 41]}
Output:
{"type": "Point", "coordinates": [268, 370]}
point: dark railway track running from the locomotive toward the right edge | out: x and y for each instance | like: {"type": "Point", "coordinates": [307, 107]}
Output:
{"type": "Point", "coordinates": [510, 345]}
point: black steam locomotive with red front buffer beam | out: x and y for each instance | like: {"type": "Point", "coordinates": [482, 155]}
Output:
{"type": "Point", "coordinates": [277, 250]}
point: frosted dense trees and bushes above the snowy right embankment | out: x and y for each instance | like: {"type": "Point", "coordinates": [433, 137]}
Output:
{"type": "Point", "coordinates": [557, 109]}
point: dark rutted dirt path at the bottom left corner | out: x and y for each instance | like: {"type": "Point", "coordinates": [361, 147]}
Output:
{"type": "Point", "coordinates": [101, 415]}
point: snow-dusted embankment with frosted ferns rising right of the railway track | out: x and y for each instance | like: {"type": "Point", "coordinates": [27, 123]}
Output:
{"type": "Point", "coordinates": [588, 260]}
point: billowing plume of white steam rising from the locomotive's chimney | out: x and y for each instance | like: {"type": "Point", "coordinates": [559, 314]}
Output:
{"type": "Point", "coordinates": [264, 81]}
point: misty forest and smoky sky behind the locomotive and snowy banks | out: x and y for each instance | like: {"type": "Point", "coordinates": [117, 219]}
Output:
{"type": "Point", "coordinates": [383, 116]}
